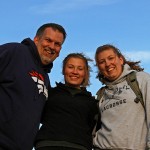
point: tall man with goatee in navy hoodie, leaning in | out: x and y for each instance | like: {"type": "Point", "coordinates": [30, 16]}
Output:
{"type": "Point", "coordinates": [23, 85]}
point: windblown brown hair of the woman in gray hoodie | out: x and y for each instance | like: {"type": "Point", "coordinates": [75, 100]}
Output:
{"type": "Point", "coordinates": [133, 64]}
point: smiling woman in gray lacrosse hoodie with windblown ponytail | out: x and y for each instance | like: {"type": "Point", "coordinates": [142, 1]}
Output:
{"type": "Point", "coordinates": [125, 124]}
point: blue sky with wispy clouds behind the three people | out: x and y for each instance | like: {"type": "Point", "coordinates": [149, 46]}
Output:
{"type": "Point", "coordinates": [88, 23]}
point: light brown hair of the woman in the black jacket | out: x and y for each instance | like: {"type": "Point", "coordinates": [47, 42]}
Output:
{"type": "Point", "coordinates": [86, 81]}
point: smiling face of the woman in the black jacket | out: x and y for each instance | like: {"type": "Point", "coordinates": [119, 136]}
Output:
{"type": "Point", "coordinates": [75, 72]}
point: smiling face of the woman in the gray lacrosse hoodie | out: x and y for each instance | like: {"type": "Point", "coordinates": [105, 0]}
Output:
{"type": "Point", "coordinates": [109, 64]}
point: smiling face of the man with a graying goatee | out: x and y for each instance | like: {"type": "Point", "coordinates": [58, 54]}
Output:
{"type": "Point", "coordinates": [49, 45]}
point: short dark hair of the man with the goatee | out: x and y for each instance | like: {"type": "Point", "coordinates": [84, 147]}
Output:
{"type": "Point", "coordinates": [54, 26]}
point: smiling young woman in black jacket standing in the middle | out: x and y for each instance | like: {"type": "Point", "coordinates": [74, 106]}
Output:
{"type": "Point", "coordinates": [69, 114]}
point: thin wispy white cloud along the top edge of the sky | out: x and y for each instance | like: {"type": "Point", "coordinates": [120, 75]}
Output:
{"type": "Point", "coordinates": [67, 5]}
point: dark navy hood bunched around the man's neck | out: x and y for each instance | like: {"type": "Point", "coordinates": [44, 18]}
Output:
{"type": "Point", "coordinates": [34, 51]}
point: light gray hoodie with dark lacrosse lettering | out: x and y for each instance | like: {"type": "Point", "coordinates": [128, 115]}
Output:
{"type": "Point", "coordinates": [125, 124]}
